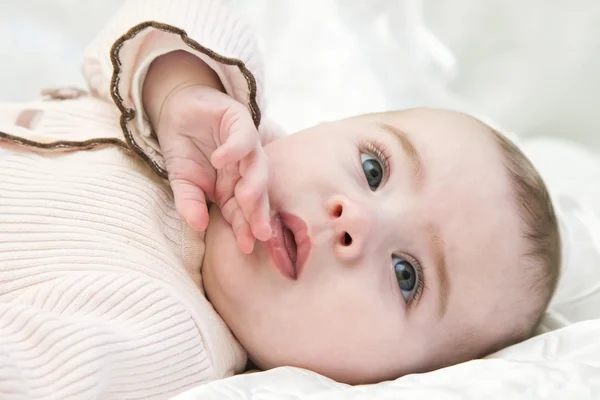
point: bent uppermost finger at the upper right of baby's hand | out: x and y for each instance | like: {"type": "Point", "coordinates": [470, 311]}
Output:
{"type": "Point", "coordinates": [241, 137]}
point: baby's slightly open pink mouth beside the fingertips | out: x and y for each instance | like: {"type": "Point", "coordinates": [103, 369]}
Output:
{"type": "Point", "coordinates": [289, 247]}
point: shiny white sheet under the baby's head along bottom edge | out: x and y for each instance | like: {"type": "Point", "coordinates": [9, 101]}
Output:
{"type": "Point", "coordinates": [560, 365]}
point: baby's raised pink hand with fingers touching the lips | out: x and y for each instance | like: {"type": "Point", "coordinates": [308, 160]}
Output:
{"type": "Point", "coordinates": [212, 149]}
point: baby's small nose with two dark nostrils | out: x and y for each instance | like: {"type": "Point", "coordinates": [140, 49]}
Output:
{"type": "Point", "coordinates": [352, 227]}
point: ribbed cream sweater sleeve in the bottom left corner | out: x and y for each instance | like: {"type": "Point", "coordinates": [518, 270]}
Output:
{"type": "Point", "coordinates": [98, 335]}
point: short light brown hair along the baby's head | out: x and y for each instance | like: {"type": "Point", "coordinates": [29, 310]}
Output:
{"type": "Point", "coordinates": [542, 260]}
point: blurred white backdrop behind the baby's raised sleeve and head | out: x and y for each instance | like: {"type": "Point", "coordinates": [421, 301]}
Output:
{"type": "Point", "coordinates": [532, 66]}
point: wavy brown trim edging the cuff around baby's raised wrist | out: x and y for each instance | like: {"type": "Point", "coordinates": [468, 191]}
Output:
{"type": "Point", "coordinates": [127, 114]}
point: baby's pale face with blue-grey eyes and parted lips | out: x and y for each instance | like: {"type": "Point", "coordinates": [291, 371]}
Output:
{"type": "Point", "coordinates": [405, 225]}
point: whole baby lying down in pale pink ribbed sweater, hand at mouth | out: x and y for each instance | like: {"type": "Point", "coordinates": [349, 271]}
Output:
{"type": "Point", "coordinates": [362, 249]}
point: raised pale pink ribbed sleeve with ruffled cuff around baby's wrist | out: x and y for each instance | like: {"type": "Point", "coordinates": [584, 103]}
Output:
{"type": "Point", "coordinates": [117, 61]}
